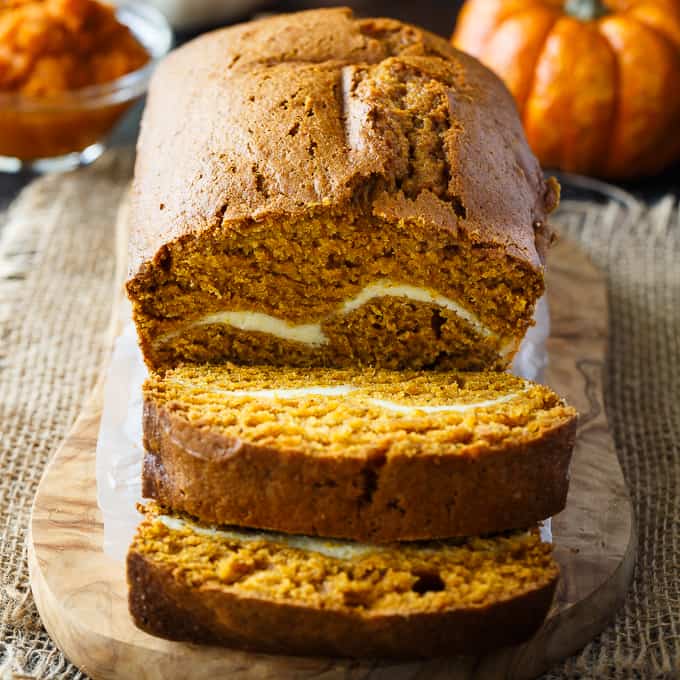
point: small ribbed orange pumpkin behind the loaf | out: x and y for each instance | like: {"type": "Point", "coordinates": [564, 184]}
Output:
{"type": "Point", "coordinates": [597, 83]}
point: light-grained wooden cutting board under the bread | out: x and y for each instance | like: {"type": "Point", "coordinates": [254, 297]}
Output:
{"type": "Point", "coordinates": [81, 593]}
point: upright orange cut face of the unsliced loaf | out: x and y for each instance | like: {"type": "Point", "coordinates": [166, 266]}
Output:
{"type": "Point", "coordinates": [305, 271]}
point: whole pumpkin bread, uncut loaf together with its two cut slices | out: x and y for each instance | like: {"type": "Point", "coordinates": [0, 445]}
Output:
{"type": "Point", "coordinates": [324, 207]}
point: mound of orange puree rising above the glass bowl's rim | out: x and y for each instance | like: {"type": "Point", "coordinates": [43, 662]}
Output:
{"type": "Point", "coordinates": [51, 46]}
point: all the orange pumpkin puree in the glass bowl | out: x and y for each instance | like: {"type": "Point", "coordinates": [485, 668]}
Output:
{"type": "Point", "coordinates": [49, 51]}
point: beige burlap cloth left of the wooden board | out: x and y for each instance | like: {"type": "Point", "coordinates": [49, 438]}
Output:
{"type": "Point", "coordinates": [57, 262]}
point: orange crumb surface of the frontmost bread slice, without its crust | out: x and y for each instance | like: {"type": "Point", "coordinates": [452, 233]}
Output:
{"type": "Point", "coordinates": [430, 576]}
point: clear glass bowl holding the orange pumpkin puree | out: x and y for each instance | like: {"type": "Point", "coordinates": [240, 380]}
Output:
{"type": "Point", "coordinates": [63, 131]}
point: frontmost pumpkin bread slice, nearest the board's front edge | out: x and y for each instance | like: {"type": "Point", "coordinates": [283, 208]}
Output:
{"type": "Point", "coordinates": [304, 596]}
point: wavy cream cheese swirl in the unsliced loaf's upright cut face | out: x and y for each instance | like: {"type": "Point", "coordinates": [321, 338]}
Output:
{"type": "Point", "coordinates": [312, 333]}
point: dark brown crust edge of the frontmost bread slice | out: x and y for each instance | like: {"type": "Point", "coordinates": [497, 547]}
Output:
{"type": "Point", "coordinates": [163, 605]}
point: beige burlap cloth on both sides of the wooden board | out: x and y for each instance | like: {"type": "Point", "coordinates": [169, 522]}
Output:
{"type": "Point", "coordinates": [56, 286]}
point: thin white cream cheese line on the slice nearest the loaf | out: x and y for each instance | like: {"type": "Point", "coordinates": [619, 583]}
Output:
{"type": "Point", "coordinates": [343, 390]}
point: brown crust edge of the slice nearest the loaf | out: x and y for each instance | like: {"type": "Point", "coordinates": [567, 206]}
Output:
{"type": "Point", "coordinates": [371, 498]}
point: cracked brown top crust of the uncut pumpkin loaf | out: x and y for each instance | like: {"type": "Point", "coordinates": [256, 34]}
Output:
{"type": "Point", "coordinates": [320, 110]}
